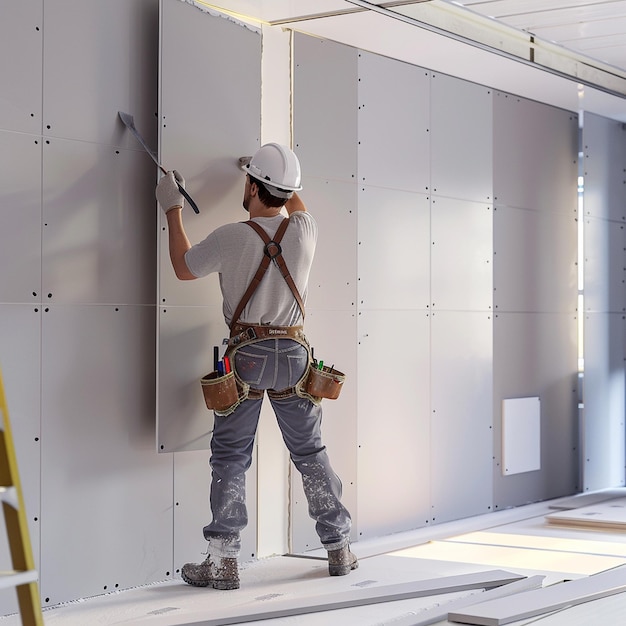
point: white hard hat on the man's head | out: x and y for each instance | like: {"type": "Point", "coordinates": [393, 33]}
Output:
{"type": "Point", "coordinates": [278, 168]}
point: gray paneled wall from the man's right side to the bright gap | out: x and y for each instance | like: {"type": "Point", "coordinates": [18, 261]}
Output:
{"type": "Point", "coordinates": [464, 233]}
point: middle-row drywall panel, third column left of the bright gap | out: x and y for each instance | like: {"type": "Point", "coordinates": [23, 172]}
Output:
{"type": "Point", "coordinates": [393, 249]}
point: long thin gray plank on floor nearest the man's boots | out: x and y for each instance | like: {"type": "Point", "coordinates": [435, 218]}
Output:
{"type": "Point", "coordinates": [348, 599]}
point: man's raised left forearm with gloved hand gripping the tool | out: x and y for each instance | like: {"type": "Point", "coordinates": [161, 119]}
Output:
{"type": "Point", "coordinates": [172, 202]}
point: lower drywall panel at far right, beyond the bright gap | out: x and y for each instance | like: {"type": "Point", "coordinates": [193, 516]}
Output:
{"type": "Point", "coordinates": [604, 401]}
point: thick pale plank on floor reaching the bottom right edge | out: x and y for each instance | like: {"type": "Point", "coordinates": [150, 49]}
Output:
{"type": "Point", "coordinates": [541, 601]}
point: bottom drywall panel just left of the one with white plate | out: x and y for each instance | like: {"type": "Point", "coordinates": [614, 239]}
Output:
{"type": "Point", "coordinates": [461, 418]}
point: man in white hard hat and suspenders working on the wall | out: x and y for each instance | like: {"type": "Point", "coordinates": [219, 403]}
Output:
{"type": "Point", "coordinates": [268, 352]}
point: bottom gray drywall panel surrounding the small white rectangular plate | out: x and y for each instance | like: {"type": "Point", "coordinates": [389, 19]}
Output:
{"type": "Point", "coordinates": [535, 355]}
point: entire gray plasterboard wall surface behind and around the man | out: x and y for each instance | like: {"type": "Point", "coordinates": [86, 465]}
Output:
{"type": "Point", "coordinates": [444, 282]}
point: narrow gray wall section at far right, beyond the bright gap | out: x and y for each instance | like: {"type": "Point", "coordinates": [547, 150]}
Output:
{"type": "Point", "coordinates": [604, 149]}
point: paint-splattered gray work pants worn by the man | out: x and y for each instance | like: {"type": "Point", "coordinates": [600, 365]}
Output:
{"type": "Point", "coordinates": [274, 364]}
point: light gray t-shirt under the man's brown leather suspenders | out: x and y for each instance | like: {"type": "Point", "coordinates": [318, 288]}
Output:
{"type": "Point", "coordinates": [235, 252]}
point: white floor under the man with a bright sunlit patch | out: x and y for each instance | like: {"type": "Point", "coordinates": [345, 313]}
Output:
{"type": "Point", "coordinates": [520, 541]}
